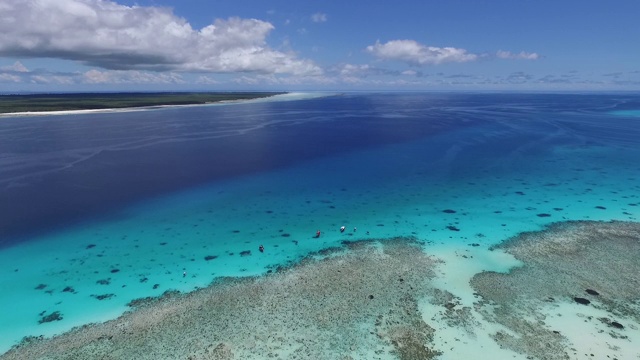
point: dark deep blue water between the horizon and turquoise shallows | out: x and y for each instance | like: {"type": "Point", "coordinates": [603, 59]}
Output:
{"type": "Point", "coordinates": [57, 170]}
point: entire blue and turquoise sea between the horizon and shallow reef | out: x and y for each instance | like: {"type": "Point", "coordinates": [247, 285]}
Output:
{"type": "Point", "coordinates": [100, 209]}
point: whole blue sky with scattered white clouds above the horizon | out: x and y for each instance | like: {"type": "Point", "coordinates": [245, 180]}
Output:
{"type": "Point", "coordinates": [312, 45]}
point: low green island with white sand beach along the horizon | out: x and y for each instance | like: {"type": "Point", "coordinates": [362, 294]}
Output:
{"type": "Point", "coordinates": [44, 104]}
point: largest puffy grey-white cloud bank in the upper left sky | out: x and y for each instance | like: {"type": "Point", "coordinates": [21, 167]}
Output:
{"type": "Point", "coordinates": [106, 34]}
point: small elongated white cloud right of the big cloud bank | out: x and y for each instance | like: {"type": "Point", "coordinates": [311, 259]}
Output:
{"type": "Point", "coordinates": [412, 52]}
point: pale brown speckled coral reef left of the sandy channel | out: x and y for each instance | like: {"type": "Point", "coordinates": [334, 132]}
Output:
{"type": "Point", "coordinates": [362, 303]}
